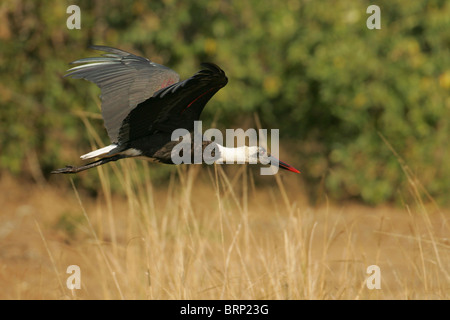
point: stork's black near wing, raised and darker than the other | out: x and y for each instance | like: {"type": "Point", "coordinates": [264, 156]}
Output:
{"type": "Point", "coordinates": [173, 107]}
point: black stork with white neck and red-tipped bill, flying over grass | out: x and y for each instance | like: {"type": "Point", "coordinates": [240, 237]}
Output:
{"type": "Point", "coordinates": [144, 102]}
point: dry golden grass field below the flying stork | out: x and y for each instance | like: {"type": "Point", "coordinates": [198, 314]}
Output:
{"type": "Point", "coordinates": [213, 235]}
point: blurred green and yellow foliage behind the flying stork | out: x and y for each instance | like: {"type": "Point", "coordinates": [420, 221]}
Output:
{"type": "Point", "coordinates": [310, 68]}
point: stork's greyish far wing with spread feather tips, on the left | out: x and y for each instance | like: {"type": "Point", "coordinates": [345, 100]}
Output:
{"type": "Point", "coordinates": [125, 81]}
